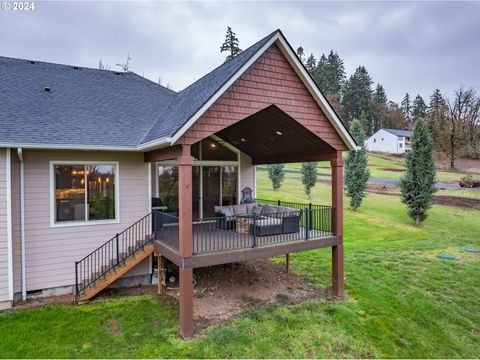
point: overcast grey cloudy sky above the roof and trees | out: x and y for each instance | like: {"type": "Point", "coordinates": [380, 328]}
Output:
{"type": "Point", "coordinates": [410, 47]}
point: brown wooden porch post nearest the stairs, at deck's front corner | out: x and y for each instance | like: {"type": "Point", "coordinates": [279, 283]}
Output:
{"type": "Point", "coordinates": [185, 240]}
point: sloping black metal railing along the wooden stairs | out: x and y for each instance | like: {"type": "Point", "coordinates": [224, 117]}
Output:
{"type": "Point", "coordinates": [113, 253]}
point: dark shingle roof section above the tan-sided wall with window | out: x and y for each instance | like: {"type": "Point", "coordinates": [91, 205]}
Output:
{"type": "Point", "coordinates": [84, 107]}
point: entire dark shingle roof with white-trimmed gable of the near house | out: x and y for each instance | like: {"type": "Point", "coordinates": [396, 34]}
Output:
{"type": "Point", "coordinates": [101, 109]}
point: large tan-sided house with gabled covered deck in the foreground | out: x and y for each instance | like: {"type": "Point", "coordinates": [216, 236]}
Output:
{"type": "Point", "coordinates": [102, 170]}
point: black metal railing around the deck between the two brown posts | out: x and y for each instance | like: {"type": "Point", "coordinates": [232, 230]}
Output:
{"type": "Point", "coordinates": [253, 230]}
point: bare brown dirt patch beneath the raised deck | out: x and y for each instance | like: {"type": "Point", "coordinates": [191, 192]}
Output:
{"type": "Point", "coordinates": [223, 292]}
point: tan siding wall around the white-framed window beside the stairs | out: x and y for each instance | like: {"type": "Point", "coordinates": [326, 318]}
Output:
{"type": "Point", "coordinates": [51, 252]}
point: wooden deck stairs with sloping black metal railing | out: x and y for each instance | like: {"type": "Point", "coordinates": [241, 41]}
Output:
{"type": "Point", "coordinates": [113, 259]}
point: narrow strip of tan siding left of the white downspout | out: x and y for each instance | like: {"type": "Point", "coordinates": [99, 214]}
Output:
{"type": "Point", "coordinates": [3, 228]}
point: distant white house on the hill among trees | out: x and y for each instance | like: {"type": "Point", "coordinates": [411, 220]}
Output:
{"type": "Point", "coordinates": [390, 141]}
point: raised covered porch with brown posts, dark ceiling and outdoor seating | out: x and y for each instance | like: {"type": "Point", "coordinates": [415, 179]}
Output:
{"type": "Point", "coordinates": [192, 241]}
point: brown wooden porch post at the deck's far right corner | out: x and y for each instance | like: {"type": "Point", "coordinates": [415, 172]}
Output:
{"type": "Point", "coordinates": [337, 203]}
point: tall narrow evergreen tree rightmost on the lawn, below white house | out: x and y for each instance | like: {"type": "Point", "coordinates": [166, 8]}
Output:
{"type": "Point", "coordinates": [418, 183]}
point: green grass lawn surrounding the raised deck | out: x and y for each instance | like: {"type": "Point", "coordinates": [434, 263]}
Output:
{"type": "Point", "coordinates": [402, 300]}
